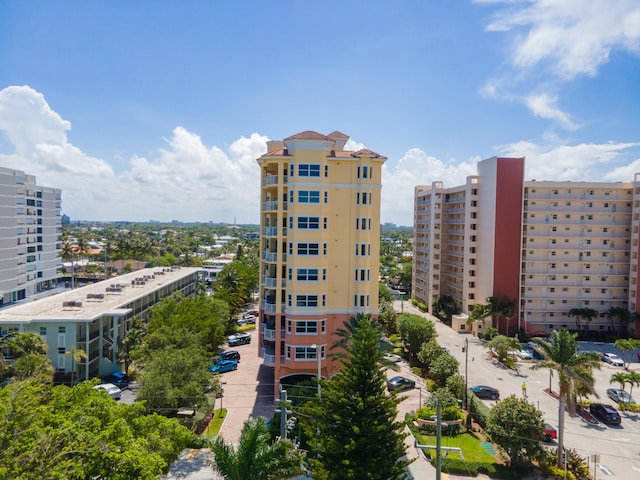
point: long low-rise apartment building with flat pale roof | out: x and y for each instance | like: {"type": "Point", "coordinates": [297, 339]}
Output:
{"type": "Point", "coordinates": [95, 318]}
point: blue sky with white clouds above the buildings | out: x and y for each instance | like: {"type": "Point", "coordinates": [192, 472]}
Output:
{"type": "Point", "coordinates": [157, 110]}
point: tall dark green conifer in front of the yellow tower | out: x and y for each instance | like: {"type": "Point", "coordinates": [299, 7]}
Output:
{"type": "Point", "coordinates": [352, 430]}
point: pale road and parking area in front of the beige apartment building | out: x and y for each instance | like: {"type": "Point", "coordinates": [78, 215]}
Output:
{"type": "Point", "coordinates": [618, 447]}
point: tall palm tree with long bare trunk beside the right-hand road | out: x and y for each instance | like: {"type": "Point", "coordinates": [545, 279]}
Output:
{"type": "Point", "coordinates": [562, 356]}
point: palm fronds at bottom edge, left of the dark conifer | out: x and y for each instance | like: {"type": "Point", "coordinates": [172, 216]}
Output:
{"type": "Point", "coordinates": [255, 458]}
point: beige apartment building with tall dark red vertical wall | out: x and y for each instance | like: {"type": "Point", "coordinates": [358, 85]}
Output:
{"type": "Point", "coordinates": [550, 246]}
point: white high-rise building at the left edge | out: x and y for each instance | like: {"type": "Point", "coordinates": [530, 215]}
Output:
{"type": "Point", "coordinates": [30, 243]}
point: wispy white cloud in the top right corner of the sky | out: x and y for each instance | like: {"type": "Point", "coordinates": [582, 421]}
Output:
{"type": "Point", "coordinates": [555, 41]}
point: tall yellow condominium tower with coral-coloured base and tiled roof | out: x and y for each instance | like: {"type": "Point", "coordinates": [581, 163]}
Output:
{"type": "Point", "coordinates": [320, 239]}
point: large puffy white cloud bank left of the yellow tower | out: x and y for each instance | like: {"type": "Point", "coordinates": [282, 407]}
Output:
{"type": "Point", "coordinates": [185, 180]}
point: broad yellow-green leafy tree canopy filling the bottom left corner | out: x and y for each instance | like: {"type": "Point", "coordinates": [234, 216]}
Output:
{"type": "Point", "coordinates": [78, 433]}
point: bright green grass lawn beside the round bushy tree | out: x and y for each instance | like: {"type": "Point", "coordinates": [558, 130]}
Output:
{"type": "Point", "coordinates": [477, 459]}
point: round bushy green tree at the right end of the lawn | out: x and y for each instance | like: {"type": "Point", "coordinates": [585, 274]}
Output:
{"type": "Point", "coordinates": [517, 426]}
